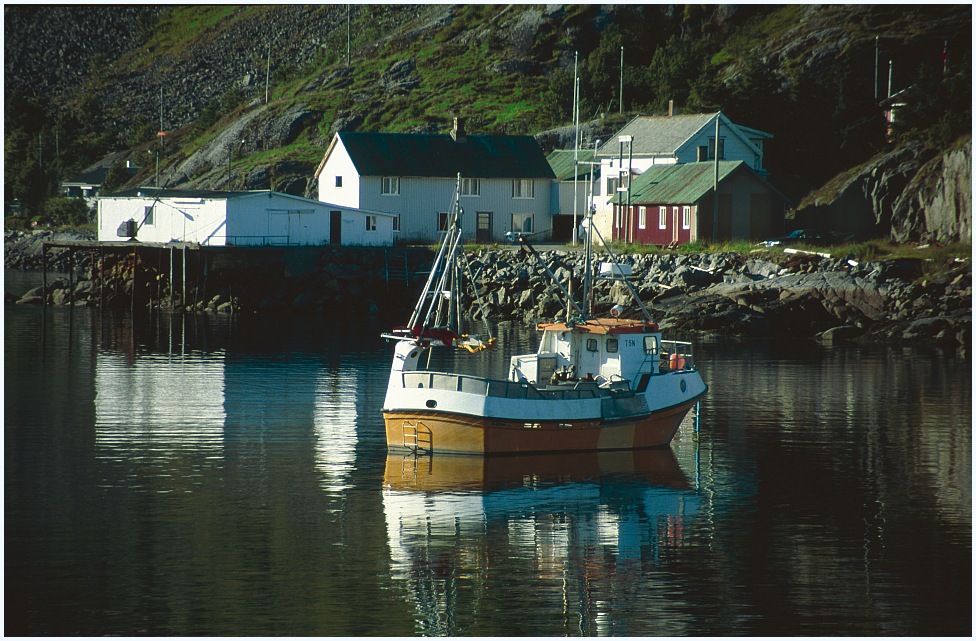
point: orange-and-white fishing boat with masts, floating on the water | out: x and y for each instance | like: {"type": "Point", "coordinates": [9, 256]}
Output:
{"type": "Point", "coordinates": [593, 384]}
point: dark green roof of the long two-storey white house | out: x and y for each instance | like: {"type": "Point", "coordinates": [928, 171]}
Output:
{"type": "Point", "coordinates": [439, 156]}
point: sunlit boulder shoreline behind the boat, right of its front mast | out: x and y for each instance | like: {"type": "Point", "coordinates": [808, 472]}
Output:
{"type": "Point", "coordinates": [766, 295]}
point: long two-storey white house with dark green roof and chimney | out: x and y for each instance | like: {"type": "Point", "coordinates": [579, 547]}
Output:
{"type": "Point", "coordinates": [506, 183]}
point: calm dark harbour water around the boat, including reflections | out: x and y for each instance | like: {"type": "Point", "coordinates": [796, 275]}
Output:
{"type": "Point", "coordinates": [203, 476]}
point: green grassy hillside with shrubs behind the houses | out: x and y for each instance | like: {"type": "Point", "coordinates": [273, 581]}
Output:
{"type": "Point", "coordinates": [479, 63]}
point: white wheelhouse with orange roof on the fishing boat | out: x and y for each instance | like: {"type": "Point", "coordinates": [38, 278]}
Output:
{"type": "Point", "coordinates": [610, 352]}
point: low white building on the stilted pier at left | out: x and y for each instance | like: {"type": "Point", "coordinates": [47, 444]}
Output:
{"type": "Point", "coordinates": [236, 218]}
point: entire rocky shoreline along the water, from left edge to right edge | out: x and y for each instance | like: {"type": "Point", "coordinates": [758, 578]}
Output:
{"type": "Point", "coordinates": [754, 295]}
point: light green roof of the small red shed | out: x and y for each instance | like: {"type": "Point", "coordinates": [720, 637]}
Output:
{"type": "Point", "coordinates": [677, 184]}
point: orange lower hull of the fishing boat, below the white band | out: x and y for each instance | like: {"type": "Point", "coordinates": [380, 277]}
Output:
{"type": "Point", "coordinates": [455, 433]}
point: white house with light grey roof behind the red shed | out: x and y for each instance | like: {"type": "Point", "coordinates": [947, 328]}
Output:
{"type": "Point", "coordinates": [647, 141]}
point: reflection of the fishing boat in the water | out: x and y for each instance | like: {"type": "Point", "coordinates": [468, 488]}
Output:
{"type": "Point", "coordinates": [584, 526]}
